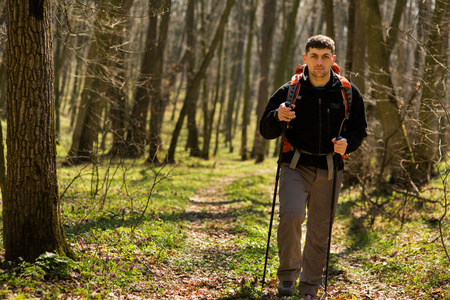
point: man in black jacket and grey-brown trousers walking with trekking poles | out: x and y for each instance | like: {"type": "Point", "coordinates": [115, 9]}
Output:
{"type": "Point", "coordinates": [314, 122]}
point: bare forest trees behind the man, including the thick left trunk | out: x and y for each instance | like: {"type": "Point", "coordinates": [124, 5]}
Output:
{"type": "Point", "coordinates": [153, 81]}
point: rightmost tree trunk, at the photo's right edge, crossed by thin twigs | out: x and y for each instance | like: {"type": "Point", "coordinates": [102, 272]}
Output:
{"type": "Point", "coordinates": [433, 94]}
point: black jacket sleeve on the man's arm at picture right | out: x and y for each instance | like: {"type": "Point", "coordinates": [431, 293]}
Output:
{"type": "Point", "coordinates": [356, 127]}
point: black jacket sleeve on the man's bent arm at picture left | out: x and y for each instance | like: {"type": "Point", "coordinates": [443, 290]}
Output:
{"type": "Point", "coordinates": [269, 126]}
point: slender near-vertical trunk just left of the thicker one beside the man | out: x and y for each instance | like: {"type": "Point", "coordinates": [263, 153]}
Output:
{"type": "Point", "coordinates": [245, 110]}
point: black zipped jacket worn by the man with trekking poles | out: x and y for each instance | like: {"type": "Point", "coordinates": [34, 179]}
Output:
{"type": "Point", "coordinates": [319, 114]}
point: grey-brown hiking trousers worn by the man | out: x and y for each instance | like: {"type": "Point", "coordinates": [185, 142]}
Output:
{"type": "Point", "coordinates": [301, 188]}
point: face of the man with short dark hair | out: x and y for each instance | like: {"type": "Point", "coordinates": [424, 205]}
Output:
{"type": "Point", "coordinates": [319, 62]}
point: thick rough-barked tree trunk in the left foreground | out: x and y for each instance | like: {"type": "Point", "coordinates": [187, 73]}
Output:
{"type": "Point", "coordinates": [31, 221]}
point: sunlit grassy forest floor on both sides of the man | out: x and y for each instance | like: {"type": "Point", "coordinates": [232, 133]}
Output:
{"type": "Point", "coordinates": [125, 229]}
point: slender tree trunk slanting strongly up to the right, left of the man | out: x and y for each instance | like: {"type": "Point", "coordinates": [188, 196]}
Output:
{"type": "Point", "coordinates": [170, 158]}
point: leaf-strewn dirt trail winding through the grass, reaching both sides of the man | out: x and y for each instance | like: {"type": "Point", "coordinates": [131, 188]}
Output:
{"type": "Point", "coordinates": [211, 224]}
